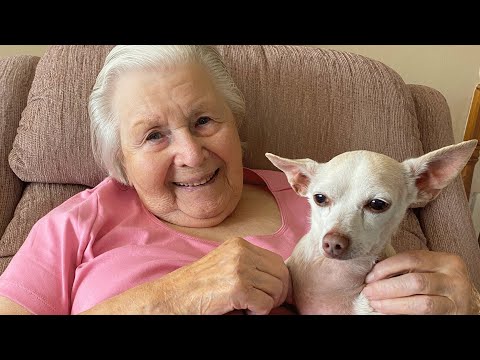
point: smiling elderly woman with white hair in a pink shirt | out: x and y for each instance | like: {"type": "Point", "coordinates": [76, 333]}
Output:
{"type": "Point", "coordinates": [179, 226]}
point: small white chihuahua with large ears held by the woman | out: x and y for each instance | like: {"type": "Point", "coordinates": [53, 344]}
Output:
{"type": "Point", "coordinates": [358, 200]}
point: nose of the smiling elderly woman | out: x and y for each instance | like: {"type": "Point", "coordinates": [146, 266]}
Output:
{"type": "Point", "coordinates": [189, 149]}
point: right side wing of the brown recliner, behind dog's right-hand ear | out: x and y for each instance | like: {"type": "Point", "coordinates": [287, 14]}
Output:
{"type": "Point", "coordinates": [446, 221]}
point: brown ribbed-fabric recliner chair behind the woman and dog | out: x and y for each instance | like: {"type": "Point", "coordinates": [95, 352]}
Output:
{"type": "Point", "coordinates": [301, 102]}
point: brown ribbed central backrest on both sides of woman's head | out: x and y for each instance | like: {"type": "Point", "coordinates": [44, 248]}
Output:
{"type": "Point", "coordinates": [301, 102]}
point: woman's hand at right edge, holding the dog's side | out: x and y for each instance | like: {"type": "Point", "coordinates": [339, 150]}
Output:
{"type": "Point", "coordinates": [427, 283]}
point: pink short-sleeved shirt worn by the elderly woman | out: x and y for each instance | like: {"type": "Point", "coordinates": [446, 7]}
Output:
{"type": "Point", "coordinates": [103, 241]}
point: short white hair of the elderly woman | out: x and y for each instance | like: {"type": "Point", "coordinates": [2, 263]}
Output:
{"type": "Point", "coordinates": [104, 125]}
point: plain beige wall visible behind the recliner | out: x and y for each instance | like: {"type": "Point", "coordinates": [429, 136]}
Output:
{"type": "Point", "coordinates": [451, 69]}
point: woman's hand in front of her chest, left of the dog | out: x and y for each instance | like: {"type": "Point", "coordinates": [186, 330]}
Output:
{"type": "Point", "coordinates": [236, 275]}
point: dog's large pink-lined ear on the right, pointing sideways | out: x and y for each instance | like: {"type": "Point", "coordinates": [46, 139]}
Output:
{"type": "Point", "coordinates": [435, 170]}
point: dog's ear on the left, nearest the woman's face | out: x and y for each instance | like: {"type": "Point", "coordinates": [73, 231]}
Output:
{"type": "Point", "coordinates": [299, 171]}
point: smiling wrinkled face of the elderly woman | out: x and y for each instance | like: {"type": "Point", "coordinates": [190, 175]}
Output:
{"type": "Point", "coordinates": [180, 144]}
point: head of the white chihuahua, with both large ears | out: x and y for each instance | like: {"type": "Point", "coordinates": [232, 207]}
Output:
{"type": "Point", "coordinates": [359, 198]}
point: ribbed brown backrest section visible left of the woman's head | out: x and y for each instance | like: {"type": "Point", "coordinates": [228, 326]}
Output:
{"type": "Point", "coordinates": [53, 140]}
